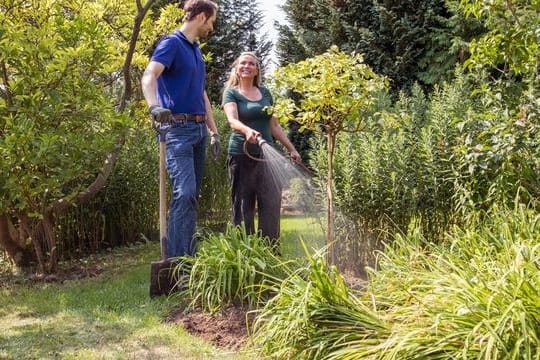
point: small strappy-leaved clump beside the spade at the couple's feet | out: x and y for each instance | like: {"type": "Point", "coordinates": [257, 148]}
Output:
{"type": "Point", "coordinates": [232, 268]}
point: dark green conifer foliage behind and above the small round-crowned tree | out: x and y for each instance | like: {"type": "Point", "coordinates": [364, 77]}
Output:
{"type": "Point", "coordinates": [404, 40]}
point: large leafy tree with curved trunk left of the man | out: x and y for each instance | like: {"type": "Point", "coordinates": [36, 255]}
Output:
{"type": "Point", "coordinates": [67, 102]}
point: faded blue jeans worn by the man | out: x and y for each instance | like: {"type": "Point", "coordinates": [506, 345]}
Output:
{"type": "Point", "coordinates": [186, 151]}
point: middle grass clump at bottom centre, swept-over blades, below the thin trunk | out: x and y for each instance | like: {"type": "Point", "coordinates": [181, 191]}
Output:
{"type": "Point", "coordinates": [316, 316]}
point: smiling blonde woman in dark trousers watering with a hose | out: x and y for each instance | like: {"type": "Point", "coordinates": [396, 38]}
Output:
{"type": "Point", "coordinates": [244, 103]}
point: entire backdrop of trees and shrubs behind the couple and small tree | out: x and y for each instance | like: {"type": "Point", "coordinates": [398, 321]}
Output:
{"type": "Point", "coordinates": [59, 87]}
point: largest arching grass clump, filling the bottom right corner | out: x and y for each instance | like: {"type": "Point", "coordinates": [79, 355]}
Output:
{"type": "Point", "coordinates": [476, 297]}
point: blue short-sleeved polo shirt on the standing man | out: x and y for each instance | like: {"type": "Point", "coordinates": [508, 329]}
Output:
{"type": "Point", "coordinates": [180, 87]}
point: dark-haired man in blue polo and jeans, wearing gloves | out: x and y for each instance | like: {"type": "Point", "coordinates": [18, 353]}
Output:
{"type": "Point", "coordinates": [173, 85]}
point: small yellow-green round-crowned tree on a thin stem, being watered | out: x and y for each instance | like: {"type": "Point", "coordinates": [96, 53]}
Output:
{"type": "Point", "coordinates": [336, 90]}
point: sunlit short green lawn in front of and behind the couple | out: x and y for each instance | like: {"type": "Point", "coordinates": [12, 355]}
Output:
{"type": "Point", "coordinates": [111, 316]}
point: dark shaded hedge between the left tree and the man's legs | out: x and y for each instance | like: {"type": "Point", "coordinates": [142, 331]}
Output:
{"type": "Point", "coordinates": [127, 208]}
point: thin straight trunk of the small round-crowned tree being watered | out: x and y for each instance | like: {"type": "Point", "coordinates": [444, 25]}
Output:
{"type": "Point", "coordinates": [331, 255]}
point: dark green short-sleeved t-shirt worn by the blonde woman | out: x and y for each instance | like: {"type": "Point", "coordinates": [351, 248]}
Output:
{"type": "Point", "coordinates": [253, 114]}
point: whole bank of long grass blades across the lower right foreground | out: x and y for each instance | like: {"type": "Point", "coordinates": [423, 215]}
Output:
{"type": "Point", "coordinates": [455, 300]}
